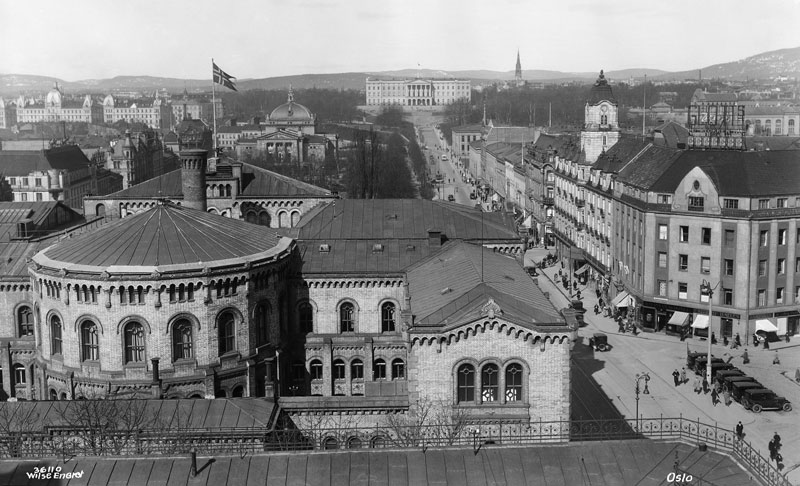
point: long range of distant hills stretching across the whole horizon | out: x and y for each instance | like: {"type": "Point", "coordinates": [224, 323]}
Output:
{"type": "Point", "coordinates": [765, 66]}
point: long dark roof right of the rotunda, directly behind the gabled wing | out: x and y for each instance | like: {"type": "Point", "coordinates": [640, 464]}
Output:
{"type": "Point", "coordinates": [375, 219]}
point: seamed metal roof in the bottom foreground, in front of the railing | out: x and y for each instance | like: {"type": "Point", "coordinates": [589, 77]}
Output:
{"type": "Point", "coordinates": [606, 463]}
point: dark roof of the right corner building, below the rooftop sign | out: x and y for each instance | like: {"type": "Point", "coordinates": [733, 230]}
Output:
{"type": "Point", "coordinates": [737, 173]}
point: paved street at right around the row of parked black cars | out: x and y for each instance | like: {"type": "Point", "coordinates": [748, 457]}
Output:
{"type": "Point", "coordinates": [604, 382]}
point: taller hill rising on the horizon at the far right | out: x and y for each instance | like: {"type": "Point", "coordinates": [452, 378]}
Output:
{"type": "Point", "coordinates": [764, 66]}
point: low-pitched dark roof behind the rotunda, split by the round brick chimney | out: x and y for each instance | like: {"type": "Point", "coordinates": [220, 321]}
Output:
{"type": "Point", "coordinates": [256, 182]}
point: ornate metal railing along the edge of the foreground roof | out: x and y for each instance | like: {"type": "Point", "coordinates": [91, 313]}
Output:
{"type": "Point", "coordinates": [467, 434]}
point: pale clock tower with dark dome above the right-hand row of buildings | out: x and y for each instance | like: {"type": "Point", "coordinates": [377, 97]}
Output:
{"type": "Point", "coordinates": [601, 126]}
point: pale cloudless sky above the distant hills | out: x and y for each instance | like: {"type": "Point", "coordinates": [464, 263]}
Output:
{"type": "Point", "coordinates": [92, 39]}
